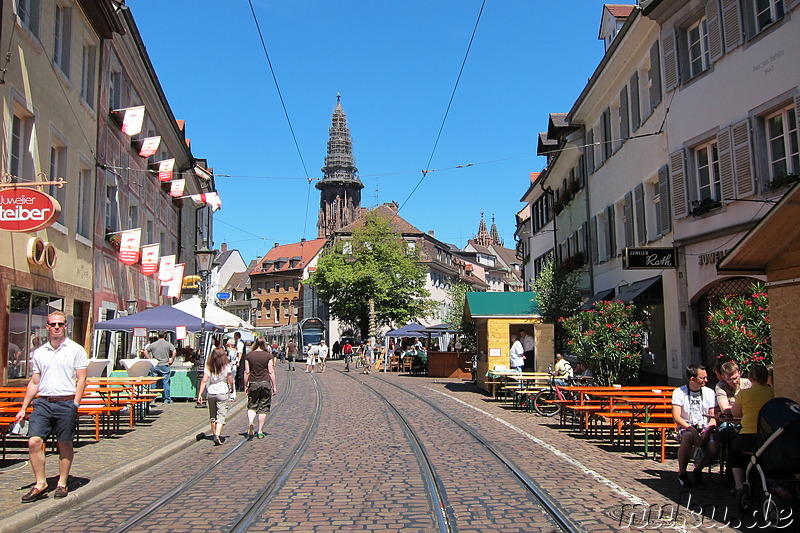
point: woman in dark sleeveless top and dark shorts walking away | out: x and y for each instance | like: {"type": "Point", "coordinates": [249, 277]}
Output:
{"type": "Point", "coordinates": [259, 385]}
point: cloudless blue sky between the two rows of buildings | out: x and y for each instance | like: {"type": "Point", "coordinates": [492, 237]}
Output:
{"type": "Point", "coordinates": [395, 65]}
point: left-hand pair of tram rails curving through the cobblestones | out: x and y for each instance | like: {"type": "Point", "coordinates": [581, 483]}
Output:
{"type": "Point", "coordinates": [265, 494]}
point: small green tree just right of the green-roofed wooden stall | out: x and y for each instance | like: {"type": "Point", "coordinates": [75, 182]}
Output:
{"type": "Point", "coordinates": [557, 295]}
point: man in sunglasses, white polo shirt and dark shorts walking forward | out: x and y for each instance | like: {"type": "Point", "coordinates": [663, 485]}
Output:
{"type": "Point", "coordinates": [59, 378]}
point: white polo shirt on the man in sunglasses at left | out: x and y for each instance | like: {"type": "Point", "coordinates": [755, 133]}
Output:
{"type": "Point", "coordinates": [56, 368]}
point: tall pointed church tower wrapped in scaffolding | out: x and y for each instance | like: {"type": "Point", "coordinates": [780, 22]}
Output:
{"type": "Point", "coordinates": [340, 189]}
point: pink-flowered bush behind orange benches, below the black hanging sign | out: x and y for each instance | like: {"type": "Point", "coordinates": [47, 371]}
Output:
{"type": "Point", "coordinates": [608, 338]}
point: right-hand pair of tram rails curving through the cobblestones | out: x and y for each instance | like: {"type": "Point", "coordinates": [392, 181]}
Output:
{"type": "Point", "coordinates": [549, 505]}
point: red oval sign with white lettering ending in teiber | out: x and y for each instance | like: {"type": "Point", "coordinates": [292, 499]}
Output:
{"type": "Point", "coordinates": [25, 210]}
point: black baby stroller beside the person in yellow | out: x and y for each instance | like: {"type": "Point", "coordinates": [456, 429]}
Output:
{"type": "Point", "coordinates": [770, 479]}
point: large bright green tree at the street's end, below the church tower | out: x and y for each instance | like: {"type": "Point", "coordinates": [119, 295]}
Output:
{"type": "Point", "coordinates": [375, 264]}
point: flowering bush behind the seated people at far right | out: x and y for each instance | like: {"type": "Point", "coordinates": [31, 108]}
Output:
{"type": "Point", "coordinates": [740, 330]}
